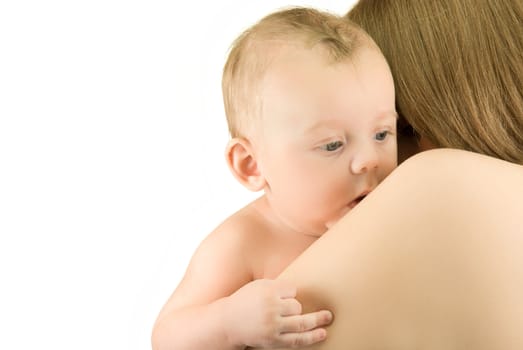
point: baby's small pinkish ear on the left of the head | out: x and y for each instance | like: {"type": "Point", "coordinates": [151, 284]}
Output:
{"type": "Point", "coordinates": [243, 164]}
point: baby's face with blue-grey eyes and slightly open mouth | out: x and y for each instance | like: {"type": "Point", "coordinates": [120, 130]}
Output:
{"type": "Point", "coordinates": [327, 135]}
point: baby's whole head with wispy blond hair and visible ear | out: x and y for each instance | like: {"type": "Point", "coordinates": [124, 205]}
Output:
{"type": "Point", "coordinates": [309, 100]}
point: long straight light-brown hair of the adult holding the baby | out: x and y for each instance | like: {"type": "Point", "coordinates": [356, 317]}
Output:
{"type": "Point", "coordinates": [458, 69]}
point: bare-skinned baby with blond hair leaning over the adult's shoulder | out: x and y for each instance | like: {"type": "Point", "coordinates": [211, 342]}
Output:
{"type": "Point", "coordinates": [309, 100]}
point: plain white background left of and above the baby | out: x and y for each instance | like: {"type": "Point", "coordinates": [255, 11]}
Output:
{"type": "Point", "coordinates": [111, 160]}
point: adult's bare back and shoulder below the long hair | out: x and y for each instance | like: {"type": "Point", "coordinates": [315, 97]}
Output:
{"type": "Point", "coordinates": [432, 259]}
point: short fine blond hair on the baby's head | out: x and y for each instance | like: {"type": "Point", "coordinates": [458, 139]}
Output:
{"type": "Point", "coordinates": [253, 51]}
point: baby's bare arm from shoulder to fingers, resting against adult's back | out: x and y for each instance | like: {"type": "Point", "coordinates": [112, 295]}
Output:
{"type": "Point", "coordinates": [218, 306]}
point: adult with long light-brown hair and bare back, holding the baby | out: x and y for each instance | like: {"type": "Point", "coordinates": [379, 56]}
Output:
{"type": "Point", "coordinates": [433, 258]}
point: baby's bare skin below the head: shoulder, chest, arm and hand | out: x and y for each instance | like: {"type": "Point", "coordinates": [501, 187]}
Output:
{"type": "Point", "coordinates": [207, 299]}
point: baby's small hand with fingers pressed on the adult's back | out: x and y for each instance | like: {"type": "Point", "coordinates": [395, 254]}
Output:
{"type": "Point", "coordinates": [265, 314]}
